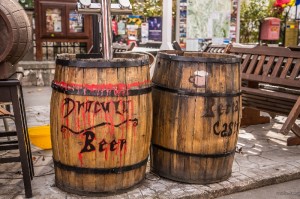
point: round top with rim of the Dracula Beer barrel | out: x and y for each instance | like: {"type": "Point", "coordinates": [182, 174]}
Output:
{"type": "Point", "coordinates": [120, 60]}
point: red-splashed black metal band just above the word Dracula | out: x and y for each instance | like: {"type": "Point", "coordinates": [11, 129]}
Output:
{"type": "Point", "coordinates": [100, 93]}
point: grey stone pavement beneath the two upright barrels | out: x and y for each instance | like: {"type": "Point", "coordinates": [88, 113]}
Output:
{"type": "Point", "coordinates": [263, 159]}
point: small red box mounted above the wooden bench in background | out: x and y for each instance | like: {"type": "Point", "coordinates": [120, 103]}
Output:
{"type": "Point", "coordinates": [270, 29]}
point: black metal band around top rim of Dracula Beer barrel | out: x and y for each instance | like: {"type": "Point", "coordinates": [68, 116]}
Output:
{"type": "Point", "coordinates": [102, 63]}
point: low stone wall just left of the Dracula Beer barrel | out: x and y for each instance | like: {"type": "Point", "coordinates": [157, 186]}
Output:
{"type": "Point", "coordinates": [37, 73]}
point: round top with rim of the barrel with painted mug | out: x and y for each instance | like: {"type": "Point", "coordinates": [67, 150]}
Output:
{"type": "Point", "coordinates": [202, 57]}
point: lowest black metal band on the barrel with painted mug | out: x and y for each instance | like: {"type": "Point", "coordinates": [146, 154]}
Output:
{"type": "Point", "coordinates": [217, 155]}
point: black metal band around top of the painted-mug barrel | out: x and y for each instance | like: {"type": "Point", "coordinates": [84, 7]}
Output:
{"type": "Point", "coordinates": [175, 57]}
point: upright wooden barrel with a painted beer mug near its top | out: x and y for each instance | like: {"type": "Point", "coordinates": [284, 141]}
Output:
{"type": "Point", "coordinates": [196, 116]}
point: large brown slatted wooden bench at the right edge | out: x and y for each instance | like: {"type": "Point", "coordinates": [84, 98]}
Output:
{"type": "Point", "coordinates": [271, 82]}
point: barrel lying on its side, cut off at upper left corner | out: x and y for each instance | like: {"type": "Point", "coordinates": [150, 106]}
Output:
{"type": "Point", "coordinates": [15, 32]}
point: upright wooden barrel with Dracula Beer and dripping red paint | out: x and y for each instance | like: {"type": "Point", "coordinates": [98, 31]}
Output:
{"type": "Point", "coordinates": [101, 122]}
